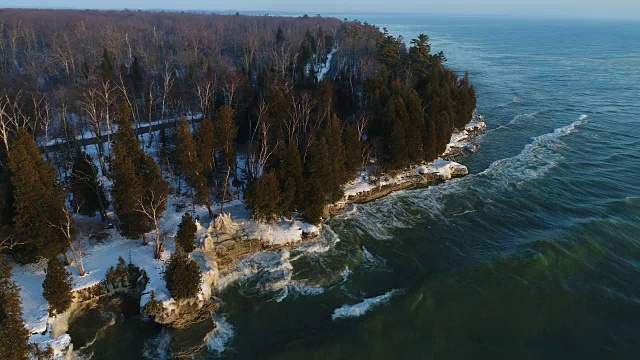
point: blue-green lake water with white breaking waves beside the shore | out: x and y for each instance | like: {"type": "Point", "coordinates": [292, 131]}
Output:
{"type": "Point", "coordinates": [536, 254]}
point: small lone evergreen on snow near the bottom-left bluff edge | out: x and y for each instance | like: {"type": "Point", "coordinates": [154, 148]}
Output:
{"type": "Point", "coordinates": [57, 287]}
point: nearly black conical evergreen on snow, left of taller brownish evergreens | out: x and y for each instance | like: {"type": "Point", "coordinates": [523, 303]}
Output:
{"type": "Point", "coordinates": [88, 194]}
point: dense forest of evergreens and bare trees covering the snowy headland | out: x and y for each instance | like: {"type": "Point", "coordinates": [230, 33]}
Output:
{"type": "Point", "coordinates": [288, 109]}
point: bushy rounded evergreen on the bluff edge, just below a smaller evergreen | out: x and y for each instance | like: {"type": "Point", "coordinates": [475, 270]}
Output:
{"type": "Point", "coordinates": [182, 276]}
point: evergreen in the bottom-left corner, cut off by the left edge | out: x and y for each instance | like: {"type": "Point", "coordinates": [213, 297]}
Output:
{"type": "Point", "coordinates": [14, 337]}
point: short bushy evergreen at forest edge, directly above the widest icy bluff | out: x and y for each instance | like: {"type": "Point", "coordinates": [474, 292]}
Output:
{"type": "Point", "coordinates": [263, 196]}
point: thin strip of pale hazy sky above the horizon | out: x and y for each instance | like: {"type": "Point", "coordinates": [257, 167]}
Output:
{"type": "Point", "coordinates": [528, 8]}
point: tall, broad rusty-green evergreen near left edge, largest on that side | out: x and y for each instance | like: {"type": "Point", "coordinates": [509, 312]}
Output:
{"type": "Point", "coordinates": [39, 201]}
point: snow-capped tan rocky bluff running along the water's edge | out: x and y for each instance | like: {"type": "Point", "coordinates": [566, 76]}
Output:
{"type": "Point", "coordinates": [226, 248]}
